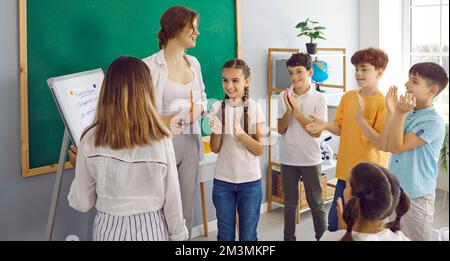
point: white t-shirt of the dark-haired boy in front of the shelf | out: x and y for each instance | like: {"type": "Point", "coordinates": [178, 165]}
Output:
{"type": "Point", "coordinates": [297, 147]}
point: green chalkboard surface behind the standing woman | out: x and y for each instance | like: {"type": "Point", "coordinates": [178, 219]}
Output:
{"type": "Point", "coordinates": [71, 36]}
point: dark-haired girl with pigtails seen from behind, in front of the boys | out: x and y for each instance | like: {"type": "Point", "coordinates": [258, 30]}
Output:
{"type": "Point", "coordinates": [371, 195]}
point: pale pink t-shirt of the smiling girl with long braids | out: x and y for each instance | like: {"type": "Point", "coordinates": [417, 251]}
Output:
{"type": "Point", "coordinates": [235, 163]}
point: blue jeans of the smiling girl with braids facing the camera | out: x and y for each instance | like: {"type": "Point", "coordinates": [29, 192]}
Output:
{"type": "Point", "coordinates": [246, 198]}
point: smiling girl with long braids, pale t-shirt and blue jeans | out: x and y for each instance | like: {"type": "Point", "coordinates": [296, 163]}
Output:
{"type": "Point", "coordinates": [237, 182]}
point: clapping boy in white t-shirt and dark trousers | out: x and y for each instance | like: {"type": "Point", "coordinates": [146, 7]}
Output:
{"type": "Point", "coordinates": [300, 154]}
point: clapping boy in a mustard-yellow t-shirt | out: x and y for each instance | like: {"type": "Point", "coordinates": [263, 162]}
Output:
{"type": "Point", "coordinates": [359, 121]}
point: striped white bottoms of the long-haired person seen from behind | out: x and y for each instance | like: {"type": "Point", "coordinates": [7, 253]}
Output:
{"type": "Point", "coordinates": [150, 226]}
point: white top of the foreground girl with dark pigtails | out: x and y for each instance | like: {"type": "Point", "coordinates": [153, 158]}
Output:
{"type": "Point", "coordinates": [385, 235]}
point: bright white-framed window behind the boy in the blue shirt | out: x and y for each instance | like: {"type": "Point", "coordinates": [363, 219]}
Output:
{"type": "Point", "coordinates": [426, 32]}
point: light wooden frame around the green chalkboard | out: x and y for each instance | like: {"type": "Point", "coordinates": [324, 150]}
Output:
{"type": "Point", "coordinates": [26, 171]}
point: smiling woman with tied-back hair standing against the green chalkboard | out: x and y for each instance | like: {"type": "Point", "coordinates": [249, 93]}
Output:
{"type": "Point", "coordinates": [180, 90]}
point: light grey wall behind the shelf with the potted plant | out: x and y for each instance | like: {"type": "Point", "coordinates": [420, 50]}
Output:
{"type": "Point", "coordinates": [271, 24]}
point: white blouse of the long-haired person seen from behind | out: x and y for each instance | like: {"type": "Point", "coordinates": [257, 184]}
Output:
{"type": "Point", "coordinates": [126, 182]}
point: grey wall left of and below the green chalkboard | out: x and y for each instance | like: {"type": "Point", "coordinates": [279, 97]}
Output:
{"type": "Point", "coordinates": [24, 203]}
